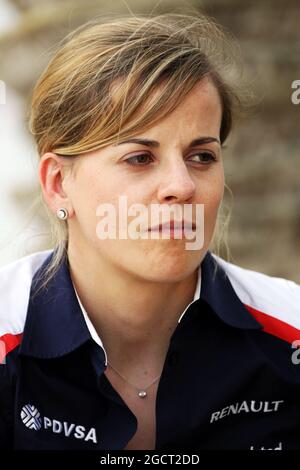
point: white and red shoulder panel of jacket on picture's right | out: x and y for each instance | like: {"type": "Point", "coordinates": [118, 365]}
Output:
{"type": "Point", "coordinates": [274, 301]}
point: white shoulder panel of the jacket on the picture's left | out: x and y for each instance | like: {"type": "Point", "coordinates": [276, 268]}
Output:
{"type": "Point", "coordinates": [15, 284]}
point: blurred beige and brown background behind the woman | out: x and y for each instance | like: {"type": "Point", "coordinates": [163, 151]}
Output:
{"type": "Point", "coordinates": [262, 160]}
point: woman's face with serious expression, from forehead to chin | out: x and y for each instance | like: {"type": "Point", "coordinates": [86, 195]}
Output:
{"type": "Point", "coordinates": [171, 172]}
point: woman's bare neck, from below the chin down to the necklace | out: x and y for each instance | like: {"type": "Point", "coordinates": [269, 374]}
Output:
{"type": "Point", "coordinates": [128, 312]}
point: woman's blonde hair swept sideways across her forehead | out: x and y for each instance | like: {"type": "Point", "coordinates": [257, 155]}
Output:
{"type": "Point", "coordinates": [72, 110]}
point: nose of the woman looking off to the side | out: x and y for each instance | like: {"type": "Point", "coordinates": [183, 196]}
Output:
{"type": "Point", "coordinates": [176, 184]}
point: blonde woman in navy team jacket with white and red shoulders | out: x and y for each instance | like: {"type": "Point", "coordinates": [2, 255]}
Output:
{"type": "Point", "coordinates": [142, 342]}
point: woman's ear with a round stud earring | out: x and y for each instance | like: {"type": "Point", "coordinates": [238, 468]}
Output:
{"type": "Point", "coordinates": [51, 176]}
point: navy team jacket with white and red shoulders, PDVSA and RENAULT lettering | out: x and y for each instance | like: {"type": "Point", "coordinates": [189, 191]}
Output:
{"type": "Point", "coordinates": [231, 377]}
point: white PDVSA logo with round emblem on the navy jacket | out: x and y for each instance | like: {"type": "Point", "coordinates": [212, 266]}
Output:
{"type": "Point", "coordinates": [32, 419]}
